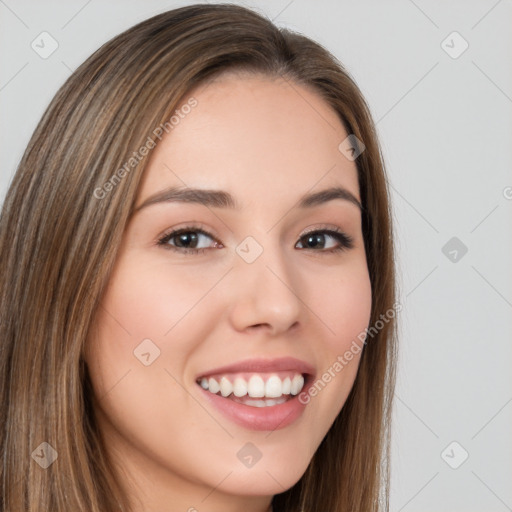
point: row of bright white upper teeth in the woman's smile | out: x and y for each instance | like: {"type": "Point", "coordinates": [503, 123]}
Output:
{"type": "Point", "coordinates": [273, 387]}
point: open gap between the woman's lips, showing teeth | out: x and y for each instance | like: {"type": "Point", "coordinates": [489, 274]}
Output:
{"type": "Point", "coordinates": [255, 389]}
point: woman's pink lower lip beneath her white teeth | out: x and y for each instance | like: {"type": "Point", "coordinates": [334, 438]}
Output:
{"type": "Point", "coordinates": [269, 418]}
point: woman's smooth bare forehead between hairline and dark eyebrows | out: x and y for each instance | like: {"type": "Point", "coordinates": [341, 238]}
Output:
{"type": "Point", "coordinates": [256, 136]}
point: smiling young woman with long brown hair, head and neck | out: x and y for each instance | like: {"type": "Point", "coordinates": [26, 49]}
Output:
{"type": "Point", "coordinates": [197, 281]}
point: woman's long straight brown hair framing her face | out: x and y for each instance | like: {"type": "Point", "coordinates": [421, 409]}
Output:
{"type": "Point", "coordinates": [61, 227]}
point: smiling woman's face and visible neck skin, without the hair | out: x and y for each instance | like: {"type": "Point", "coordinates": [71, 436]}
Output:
{"type": "Point", "coordinates": [250, 284]}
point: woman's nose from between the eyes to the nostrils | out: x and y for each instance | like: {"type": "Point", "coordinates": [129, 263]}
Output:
{"type": "Point", "coordinates": [266, 289]}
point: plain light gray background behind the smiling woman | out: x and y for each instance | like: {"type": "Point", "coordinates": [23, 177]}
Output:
{"type": "Point", "coordinates": [446, 130]}
